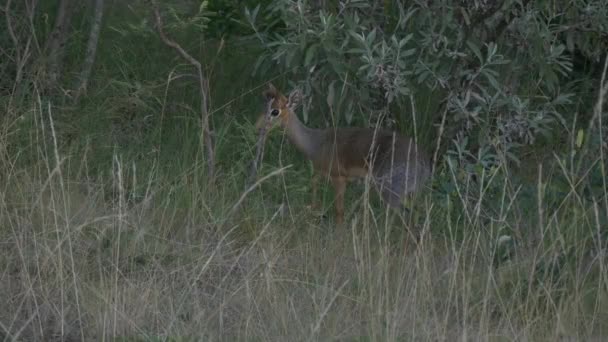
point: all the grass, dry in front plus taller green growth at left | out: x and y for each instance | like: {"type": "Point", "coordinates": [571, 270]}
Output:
{"type": "Point", "coordinates": [108, 230]}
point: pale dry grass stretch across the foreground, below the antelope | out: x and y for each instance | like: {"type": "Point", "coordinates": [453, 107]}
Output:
{"type": "Point", "coordinates": [136, 252]}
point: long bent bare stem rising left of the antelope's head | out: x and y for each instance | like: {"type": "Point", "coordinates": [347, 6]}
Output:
{"type": "Point", "coordinates": [203, 87]}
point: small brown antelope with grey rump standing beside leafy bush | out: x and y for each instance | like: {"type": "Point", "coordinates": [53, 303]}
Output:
{"type": "Point", "coordinates": [397, 166]}
